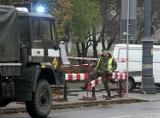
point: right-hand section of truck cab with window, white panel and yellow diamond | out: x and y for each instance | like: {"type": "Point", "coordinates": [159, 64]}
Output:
{"type": "Point", "coordinates": [51, 50]}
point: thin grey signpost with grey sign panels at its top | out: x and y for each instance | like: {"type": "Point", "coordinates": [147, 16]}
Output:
{"type": "Point", "coordinates": [128, 27]}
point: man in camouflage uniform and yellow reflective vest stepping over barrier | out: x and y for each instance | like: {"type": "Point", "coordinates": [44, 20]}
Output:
{"type": "Point", "coordinates": [104, 66]}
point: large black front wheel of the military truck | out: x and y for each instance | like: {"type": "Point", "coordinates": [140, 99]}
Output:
{"type": "Point", "coordinates": [41, 102]}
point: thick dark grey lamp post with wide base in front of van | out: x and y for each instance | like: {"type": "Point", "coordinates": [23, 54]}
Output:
{"type": "Point", "coordinates": [147, 85]}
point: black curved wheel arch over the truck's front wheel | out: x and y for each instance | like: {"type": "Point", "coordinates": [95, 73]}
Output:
{"type": "Point", "coordinates": [30, 76]}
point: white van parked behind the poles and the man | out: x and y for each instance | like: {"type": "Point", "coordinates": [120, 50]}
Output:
{"type": "Point", "coordinates": [135, 63]}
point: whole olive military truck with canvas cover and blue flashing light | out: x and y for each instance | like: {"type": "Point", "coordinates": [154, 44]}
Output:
{"type": "Point", "coordinates": [29, 60]}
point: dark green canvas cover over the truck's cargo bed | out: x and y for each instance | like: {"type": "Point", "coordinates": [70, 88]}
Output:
{"type": "Point", "coordinates": [9, 36]}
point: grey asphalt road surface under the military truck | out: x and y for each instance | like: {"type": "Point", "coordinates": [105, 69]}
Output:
{"type": "Point", "coordinates": [136, 110]}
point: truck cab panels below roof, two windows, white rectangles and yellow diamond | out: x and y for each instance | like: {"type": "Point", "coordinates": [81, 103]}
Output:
{"type": "Point", "coordinates": [44, 46]}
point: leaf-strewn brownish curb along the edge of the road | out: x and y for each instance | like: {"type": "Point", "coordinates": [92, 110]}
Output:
{"type": "Point", "coordinates": [75, 105]}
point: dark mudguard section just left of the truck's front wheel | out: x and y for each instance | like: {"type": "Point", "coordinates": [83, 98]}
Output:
{"type": "Point", "coordinates": [26, 83]}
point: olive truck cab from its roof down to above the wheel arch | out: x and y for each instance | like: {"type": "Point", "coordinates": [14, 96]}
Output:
{"type": "Point", "coordinates": [37, 34]}
